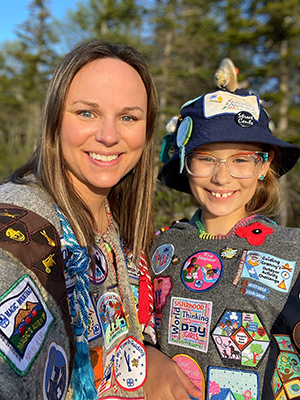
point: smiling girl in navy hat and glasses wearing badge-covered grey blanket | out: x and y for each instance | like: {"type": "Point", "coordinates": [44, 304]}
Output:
{"type": "Point", "coordinates": [228, 311]}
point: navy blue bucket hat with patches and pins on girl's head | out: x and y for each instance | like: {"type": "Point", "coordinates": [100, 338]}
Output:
{"type": "Point", "coordinates": [217, 117]}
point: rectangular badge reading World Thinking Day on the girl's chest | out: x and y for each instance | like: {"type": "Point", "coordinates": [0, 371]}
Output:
{"type": "Point", "coordinates": [189, 323]}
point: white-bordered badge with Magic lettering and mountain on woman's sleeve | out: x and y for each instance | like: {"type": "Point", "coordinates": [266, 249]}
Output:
{"type": "Point", "coordinates": [24, 323]}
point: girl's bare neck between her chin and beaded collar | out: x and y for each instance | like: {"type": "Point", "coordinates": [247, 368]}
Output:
{"type": "Point", "coordinates": [221, 225]}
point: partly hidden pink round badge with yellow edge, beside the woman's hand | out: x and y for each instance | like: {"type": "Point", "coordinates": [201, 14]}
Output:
{"type": "Point", "coordinates": [189, 366]}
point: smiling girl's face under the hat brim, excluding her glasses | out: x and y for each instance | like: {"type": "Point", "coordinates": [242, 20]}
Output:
{"type": "Point", "coordinates": [221, 195]}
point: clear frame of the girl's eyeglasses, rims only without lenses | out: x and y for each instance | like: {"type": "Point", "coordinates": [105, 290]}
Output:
{"type": "Point", "coordinates": [263, 155]}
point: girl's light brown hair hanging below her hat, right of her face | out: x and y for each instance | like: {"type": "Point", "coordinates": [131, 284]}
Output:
{"type": "Point", "coordinates": [266, 199]}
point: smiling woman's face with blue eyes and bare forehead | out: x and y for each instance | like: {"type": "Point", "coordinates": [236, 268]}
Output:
{"type": "Point", "coordinates": [104, 125]}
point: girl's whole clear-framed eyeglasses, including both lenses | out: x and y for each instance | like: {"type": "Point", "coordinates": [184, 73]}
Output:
{"type": "Point", "coordinates": [240, 165]}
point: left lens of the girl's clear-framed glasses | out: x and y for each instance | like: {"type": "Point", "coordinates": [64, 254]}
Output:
{"type": "Point", "coordinates": [201, 164]}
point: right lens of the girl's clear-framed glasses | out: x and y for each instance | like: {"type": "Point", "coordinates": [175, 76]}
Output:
{"type": "Point", "coordinates": [244, 165]}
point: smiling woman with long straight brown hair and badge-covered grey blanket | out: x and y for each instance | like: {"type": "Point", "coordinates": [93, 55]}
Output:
{"type": "Point", "coordinates": [74, 220]}
